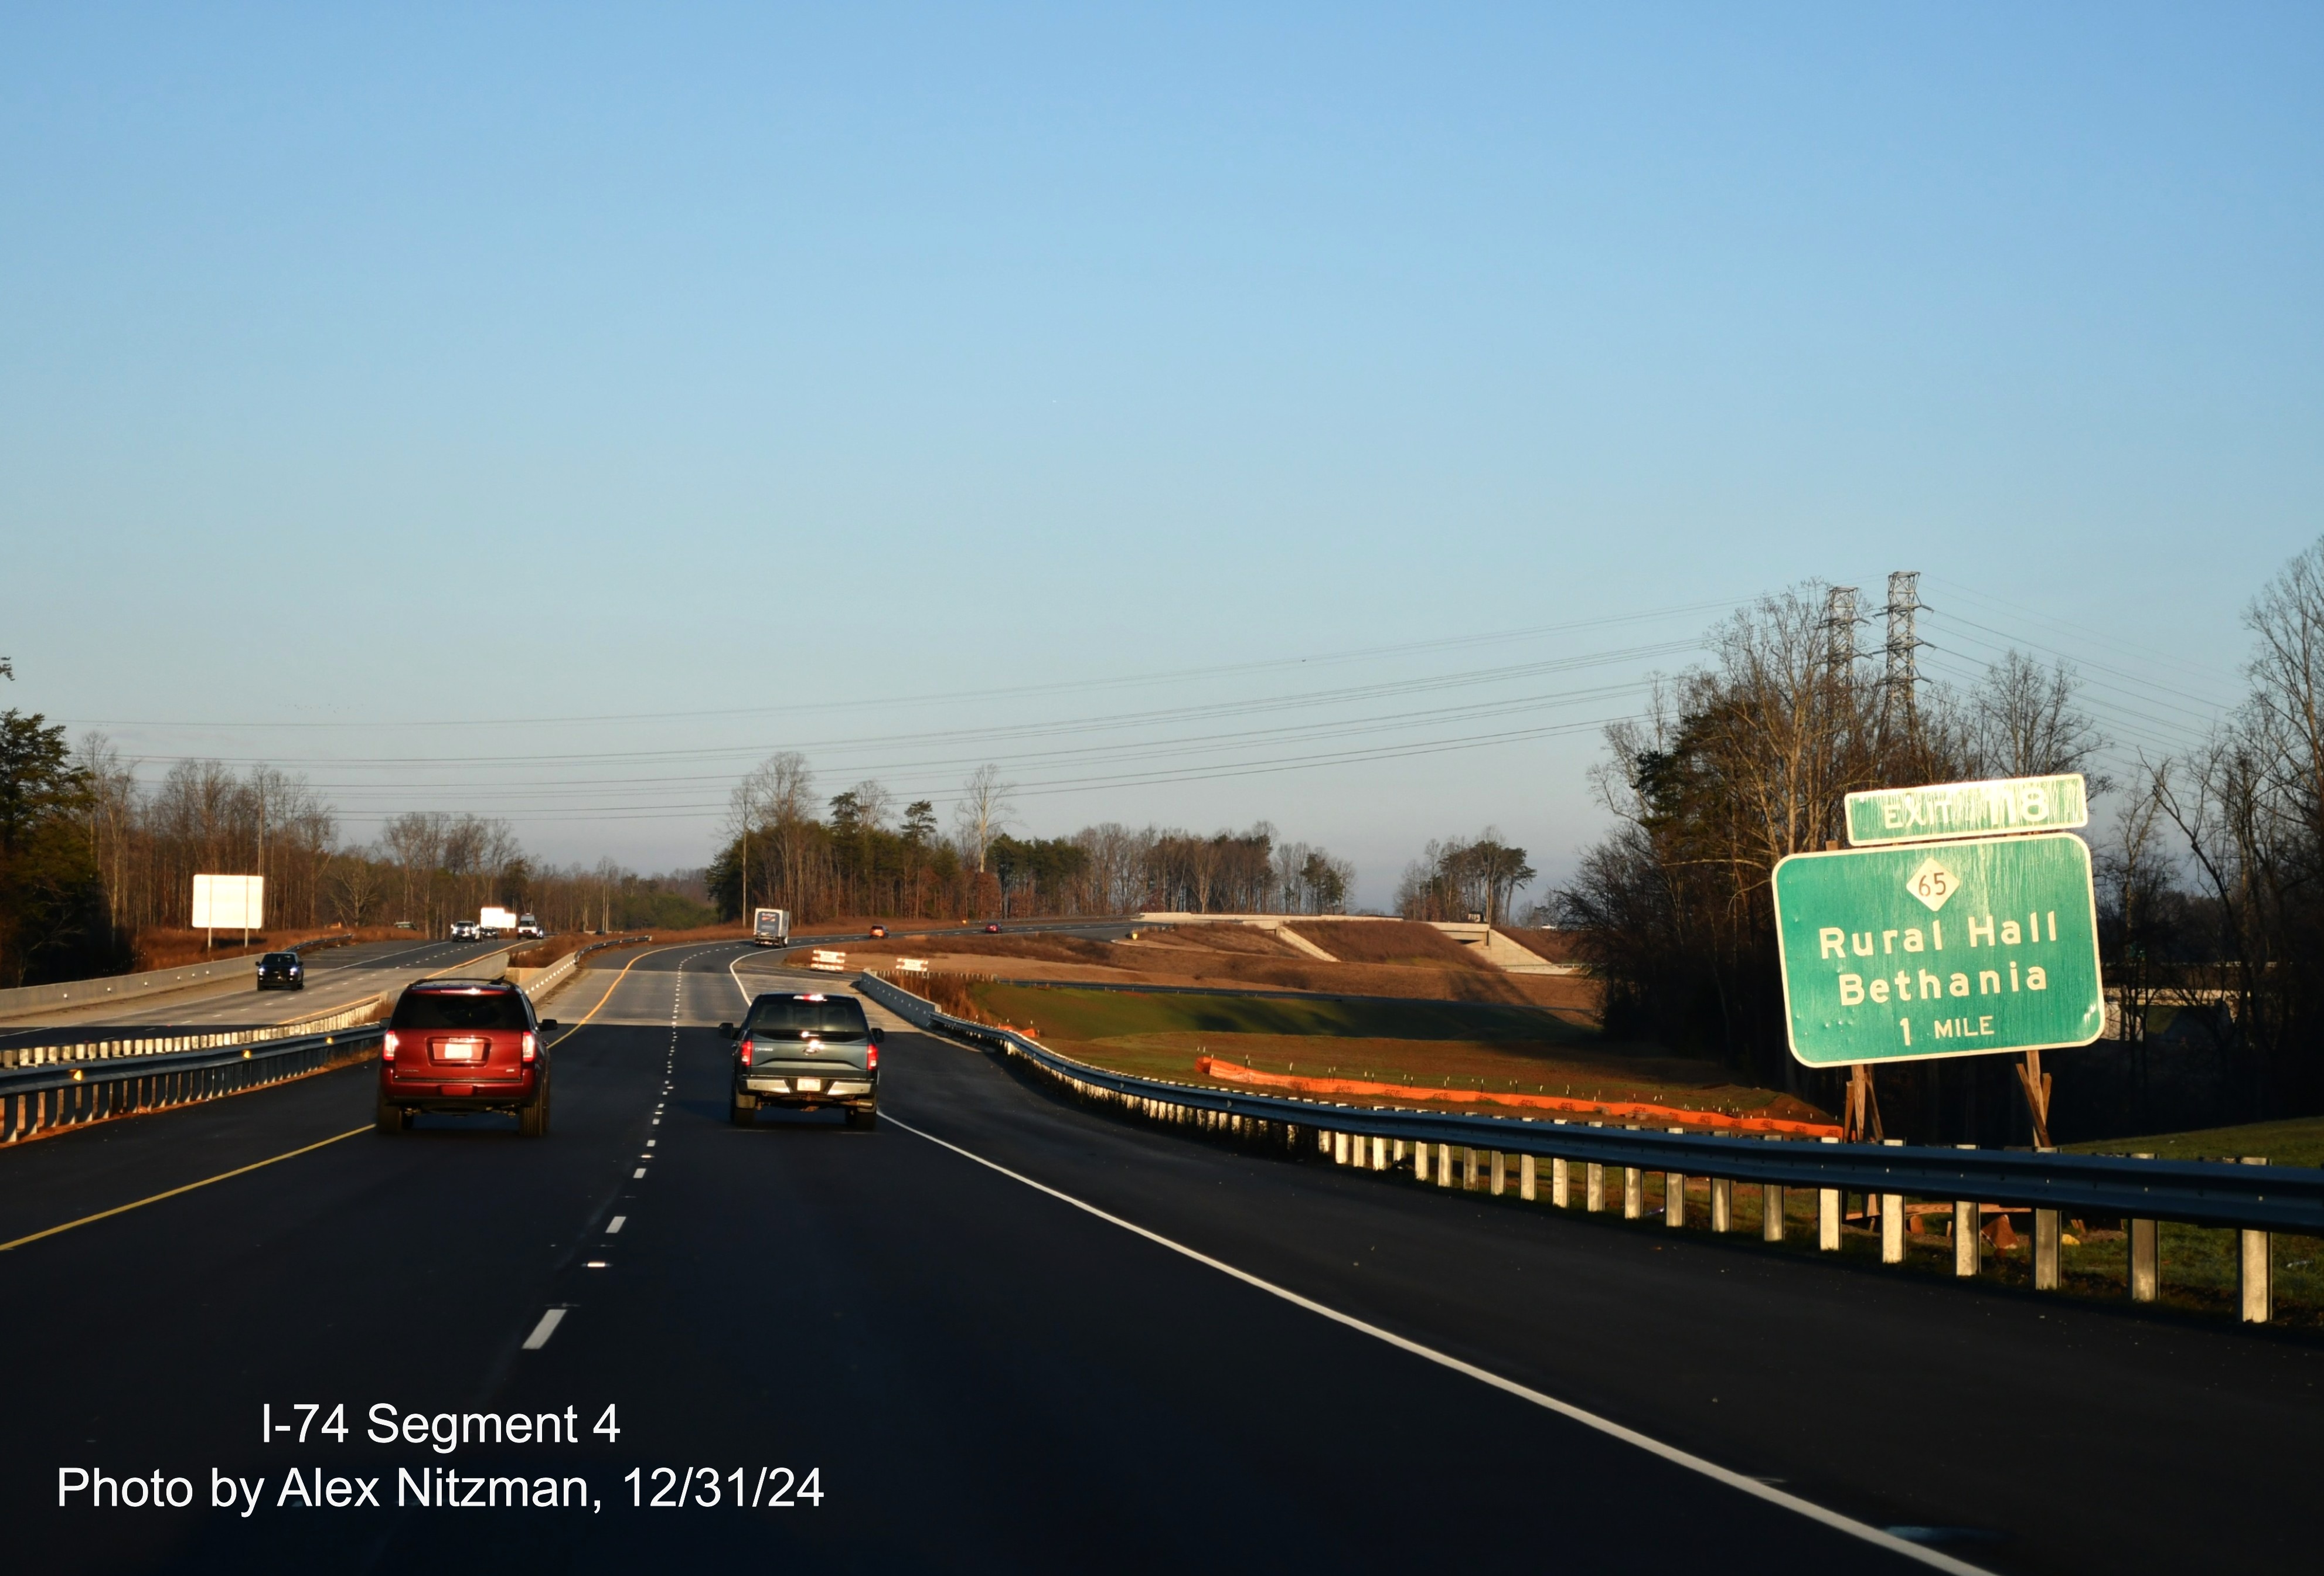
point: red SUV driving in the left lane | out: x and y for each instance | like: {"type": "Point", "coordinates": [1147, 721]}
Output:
{"type": "Point", "coordinates": [464, 1045]}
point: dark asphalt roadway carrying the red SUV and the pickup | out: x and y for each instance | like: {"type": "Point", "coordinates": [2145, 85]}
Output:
{"type": "Point", "coordinates": [1010, 1333]}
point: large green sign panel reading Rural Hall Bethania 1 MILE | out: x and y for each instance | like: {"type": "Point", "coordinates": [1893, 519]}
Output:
{"type": "Point", "coordinates": [1942, 950]}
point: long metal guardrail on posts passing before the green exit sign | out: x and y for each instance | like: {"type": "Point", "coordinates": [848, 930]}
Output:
{"type": "Point", "coordinates": [2246, 1198]}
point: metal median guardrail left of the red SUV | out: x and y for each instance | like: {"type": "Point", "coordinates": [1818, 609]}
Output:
{"type": "Point", "coordinates": [69, 1096]}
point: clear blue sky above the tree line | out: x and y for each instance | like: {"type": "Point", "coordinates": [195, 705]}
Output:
{"type": "Point", "coordinates": [382, 385]}
